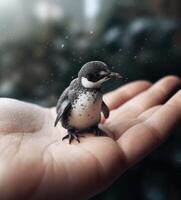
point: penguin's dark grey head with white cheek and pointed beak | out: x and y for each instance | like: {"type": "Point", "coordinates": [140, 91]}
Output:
{"type": "Point", "coordinates": [94, 73]}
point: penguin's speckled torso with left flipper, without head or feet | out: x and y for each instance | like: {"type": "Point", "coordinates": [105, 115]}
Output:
{"type": "Point", "coordinates": [79, 107]}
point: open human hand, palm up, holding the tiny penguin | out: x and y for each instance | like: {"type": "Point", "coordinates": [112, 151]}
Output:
{"type": "Point", "coordinates": [36, 164]}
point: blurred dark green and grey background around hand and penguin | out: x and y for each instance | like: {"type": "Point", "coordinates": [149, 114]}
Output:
{"type": "Point", "coordinates": [43, 44]}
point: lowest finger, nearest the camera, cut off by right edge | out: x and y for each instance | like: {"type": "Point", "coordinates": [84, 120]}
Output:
{"type": "Point", "coordinates": [140, 140]}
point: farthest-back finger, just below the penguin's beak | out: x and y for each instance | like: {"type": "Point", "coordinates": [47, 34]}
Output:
{"type": "Point", "coordinates": [121, 95]}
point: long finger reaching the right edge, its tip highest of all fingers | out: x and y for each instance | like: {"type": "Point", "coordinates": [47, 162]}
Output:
{"type": "Point", "coordinates": [155, 95]}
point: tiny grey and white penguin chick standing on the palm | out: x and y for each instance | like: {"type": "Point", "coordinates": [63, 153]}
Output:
{"type": "Point", "coordinates": [80, 105]}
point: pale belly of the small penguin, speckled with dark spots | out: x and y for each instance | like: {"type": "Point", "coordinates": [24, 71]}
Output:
{"type": "Point", "coordinates": [86, 111]}
